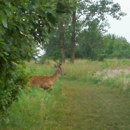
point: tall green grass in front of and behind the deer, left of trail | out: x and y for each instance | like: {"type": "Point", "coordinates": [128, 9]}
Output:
{"type": "Point", "coordinates": [35, 108]}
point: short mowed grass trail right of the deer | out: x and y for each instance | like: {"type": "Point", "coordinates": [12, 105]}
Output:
{"type": "Point", "coordinates": [91, 107]}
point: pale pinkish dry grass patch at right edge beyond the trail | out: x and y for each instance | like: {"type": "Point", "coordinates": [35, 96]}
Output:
{"type": "Point", "coordinates": [117, 78]}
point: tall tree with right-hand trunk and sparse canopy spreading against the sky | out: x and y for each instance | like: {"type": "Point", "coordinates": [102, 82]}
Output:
{"type": "Point", "coordinates": [89, 10]}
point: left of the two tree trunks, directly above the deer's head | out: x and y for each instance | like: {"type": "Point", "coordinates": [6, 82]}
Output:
{"type": "Point", "coordinates": [61, 41]}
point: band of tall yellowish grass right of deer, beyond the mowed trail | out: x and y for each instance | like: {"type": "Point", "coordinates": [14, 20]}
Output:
{"type": "Point", "coordinates": [94, 72]}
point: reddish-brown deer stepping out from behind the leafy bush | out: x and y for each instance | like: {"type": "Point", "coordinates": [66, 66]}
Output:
{"type": "Point", "coordinates": [46, 82]}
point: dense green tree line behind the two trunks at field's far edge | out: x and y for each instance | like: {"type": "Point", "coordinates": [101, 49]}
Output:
{"type": "Point", "coordinates": [91, 45]}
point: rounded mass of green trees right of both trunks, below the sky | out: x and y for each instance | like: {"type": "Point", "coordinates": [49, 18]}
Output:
{"type": "Point", "coordinates": [93, 45]}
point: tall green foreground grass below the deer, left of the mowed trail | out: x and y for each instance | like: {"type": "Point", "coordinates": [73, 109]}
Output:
{"type": "Point", "coordinates": [33, 109]}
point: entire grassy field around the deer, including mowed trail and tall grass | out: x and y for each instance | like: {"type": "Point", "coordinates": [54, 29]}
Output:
{"type": "Point", "coordinates": [92, 96]}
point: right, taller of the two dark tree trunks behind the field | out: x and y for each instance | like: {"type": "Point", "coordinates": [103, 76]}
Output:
{"type": "Point", "coordinates": [72, 56]}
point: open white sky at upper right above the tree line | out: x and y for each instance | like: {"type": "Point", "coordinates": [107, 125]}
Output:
{"type": "Point", "coordinates": [121, 27]}
